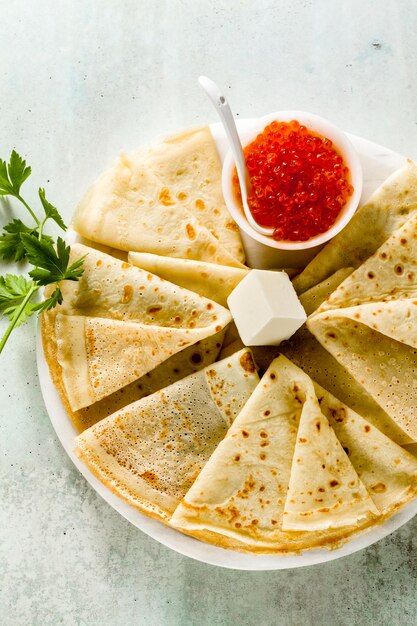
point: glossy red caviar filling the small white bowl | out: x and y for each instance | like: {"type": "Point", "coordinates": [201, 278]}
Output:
{"type": "Point", "coordinates": [299, 181]}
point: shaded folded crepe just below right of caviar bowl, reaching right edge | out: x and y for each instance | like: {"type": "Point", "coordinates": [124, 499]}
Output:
{"type": "Point", "coordinates": [387, 210]}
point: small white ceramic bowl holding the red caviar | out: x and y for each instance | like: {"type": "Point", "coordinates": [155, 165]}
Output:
{"type": "Point", "coordinates": [301, 251]}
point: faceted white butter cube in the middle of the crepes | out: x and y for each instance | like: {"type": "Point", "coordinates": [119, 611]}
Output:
{"type": "Point", "coordinates": [266, 308]}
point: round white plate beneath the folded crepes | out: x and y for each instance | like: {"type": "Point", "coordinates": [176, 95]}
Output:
{"type": "Point", "coordinates": [378, 163]}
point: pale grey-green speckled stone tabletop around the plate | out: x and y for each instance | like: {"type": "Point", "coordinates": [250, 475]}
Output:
{"type": "Point", "coordinates": [80, 80]}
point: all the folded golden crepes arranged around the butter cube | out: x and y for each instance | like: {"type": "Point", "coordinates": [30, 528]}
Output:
{"type": "Point", "coordinates": [311, 455]}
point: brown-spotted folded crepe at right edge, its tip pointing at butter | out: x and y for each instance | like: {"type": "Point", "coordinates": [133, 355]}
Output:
{"type": "Point", "coordinates": [369, 324]}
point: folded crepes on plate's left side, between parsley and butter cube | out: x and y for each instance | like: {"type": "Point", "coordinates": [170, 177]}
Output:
{"type": "Point", "coordinates": [124, 332]}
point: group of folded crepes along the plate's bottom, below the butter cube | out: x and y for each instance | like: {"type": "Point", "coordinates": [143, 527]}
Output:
{"type": "Point", "coordinates": [296, 469]}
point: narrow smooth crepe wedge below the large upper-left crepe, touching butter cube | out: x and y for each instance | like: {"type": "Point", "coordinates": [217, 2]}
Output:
{"type": "Point", "coordinates": [208, 279]}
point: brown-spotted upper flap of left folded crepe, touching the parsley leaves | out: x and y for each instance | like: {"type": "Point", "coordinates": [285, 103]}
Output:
{"type": "Point", "coordinates": [114, 289]}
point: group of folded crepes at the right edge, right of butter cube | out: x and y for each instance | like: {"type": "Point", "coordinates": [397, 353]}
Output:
{"type": "Point", "coordinates": [361, 342]}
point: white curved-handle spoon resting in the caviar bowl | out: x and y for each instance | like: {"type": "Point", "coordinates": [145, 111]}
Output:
{"type": "Point", "coordinates": [229, 125]}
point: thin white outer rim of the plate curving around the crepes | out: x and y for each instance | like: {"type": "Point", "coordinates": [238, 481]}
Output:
{"type": "Point", "coordinates": [174, 539]}
